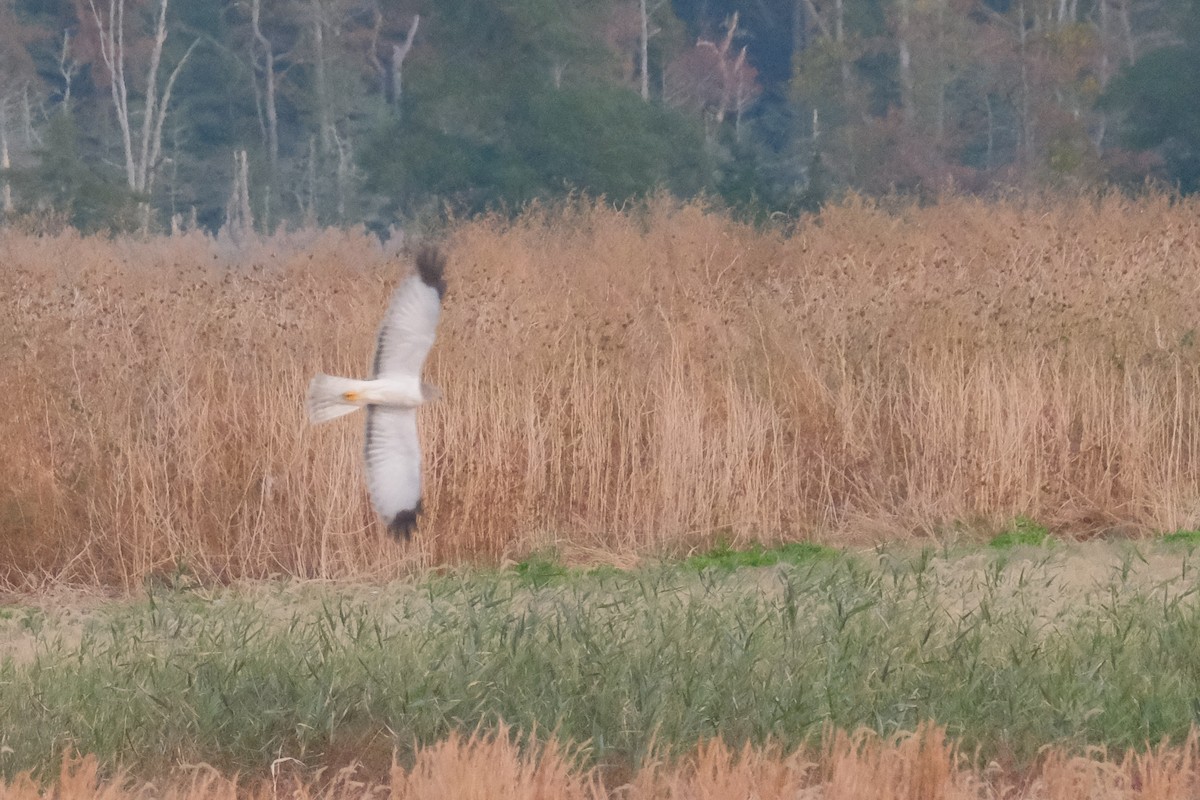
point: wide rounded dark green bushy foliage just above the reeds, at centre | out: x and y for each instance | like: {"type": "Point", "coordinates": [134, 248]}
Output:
{"type": "Point", "coordinates": [601, 140]}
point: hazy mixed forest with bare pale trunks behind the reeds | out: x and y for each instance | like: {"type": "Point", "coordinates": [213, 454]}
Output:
{"type": "Point", "coordinates": [256, 115]}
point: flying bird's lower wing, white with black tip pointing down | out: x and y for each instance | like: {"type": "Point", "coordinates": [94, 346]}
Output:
{"type": "Point", "coordinates": [394, 467]}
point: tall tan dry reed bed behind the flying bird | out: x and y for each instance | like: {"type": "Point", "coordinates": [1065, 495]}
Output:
{"type": "Point", "coordinates": [641, 381]}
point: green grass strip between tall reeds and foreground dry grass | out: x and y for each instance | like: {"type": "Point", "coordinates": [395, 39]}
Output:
{"type": "Point", "coordinates": [1011, 653]}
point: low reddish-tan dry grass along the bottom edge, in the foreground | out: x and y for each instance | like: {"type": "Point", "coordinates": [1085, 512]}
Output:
{"type": "Point", "coordinates": [922, 766]}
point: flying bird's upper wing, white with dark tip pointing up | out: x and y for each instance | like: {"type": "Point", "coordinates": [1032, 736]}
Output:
{"type": "Point", "coordinates": [407, 333]}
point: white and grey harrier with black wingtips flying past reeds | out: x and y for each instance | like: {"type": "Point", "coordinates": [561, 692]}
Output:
{"type": "Point", "coordinates": [392, 396]}
